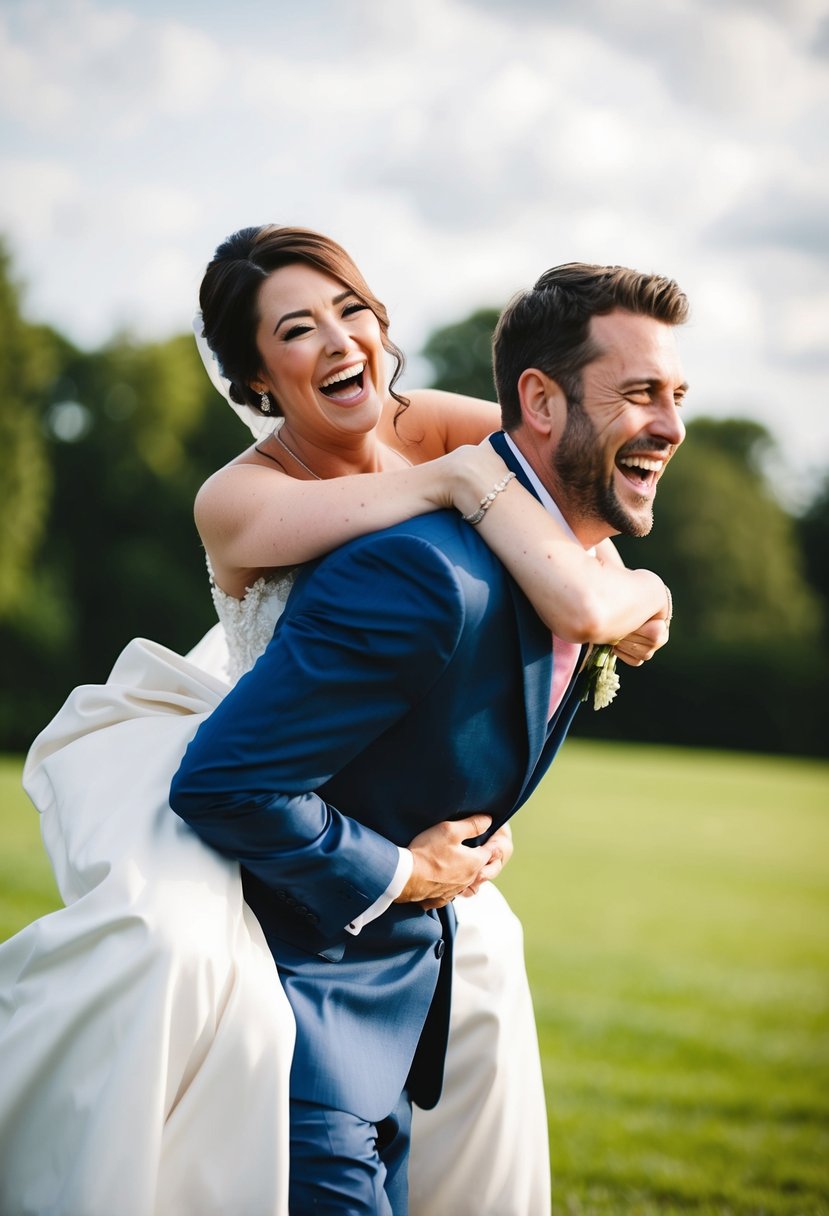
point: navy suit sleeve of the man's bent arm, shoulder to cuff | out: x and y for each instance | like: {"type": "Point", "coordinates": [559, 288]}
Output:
{"type": "Point", "coordinates": [373, 629]}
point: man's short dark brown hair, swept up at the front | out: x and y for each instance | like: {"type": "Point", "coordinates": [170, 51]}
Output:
{"type": "Point", "coordinates": [549, 326]}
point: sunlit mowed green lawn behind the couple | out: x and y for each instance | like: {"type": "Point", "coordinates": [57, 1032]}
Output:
{"type": "Point", "coordinates": [676, 913]}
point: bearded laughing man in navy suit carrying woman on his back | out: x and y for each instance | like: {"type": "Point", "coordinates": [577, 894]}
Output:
{"type": "Point", "coordinates": [409, 683]}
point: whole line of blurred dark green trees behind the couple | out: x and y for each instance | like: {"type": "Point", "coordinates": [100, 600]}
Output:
{"type": "Point", "coordinates": [101, 454]}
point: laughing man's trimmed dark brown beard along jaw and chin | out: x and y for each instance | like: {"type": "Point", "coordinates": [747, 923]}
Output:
{"type": "Point", "coordinates": [586, 485]}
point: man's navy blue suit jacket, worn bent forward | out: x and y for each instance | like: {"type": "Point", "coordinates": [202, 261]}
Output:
{"type": "Point", "coordinates": [408, 683]}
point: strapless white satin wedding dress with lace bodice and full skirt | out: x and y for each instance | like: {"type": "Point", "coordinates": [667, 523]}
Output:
{"type": "Point", "coordinates": [145, 1039]}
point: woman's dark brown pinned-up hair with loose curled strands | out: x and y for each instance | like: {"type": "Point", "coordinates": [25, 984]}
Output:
{"type": "Point", "coordinates": [229, 297]}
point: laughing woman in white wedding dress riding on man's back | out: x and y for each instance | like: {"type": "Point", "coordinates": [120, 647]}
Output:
{"type": "Point", "coordinates": [145, 1042]}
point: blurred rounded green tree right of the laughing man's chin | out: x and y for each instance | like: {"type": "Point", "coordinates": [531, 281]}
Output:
{"type": "Point", "coordinates": [745, 668]}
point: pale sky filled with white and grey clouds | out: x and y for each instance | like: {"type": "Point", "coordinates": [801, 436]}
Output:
{"type": "Point", "coordinates": [456, 148]}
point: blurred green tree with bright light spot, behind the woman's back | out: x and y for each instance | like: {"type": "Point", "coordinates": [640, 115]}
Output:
{"type": "Point", "coordinates": [129, 434]}
